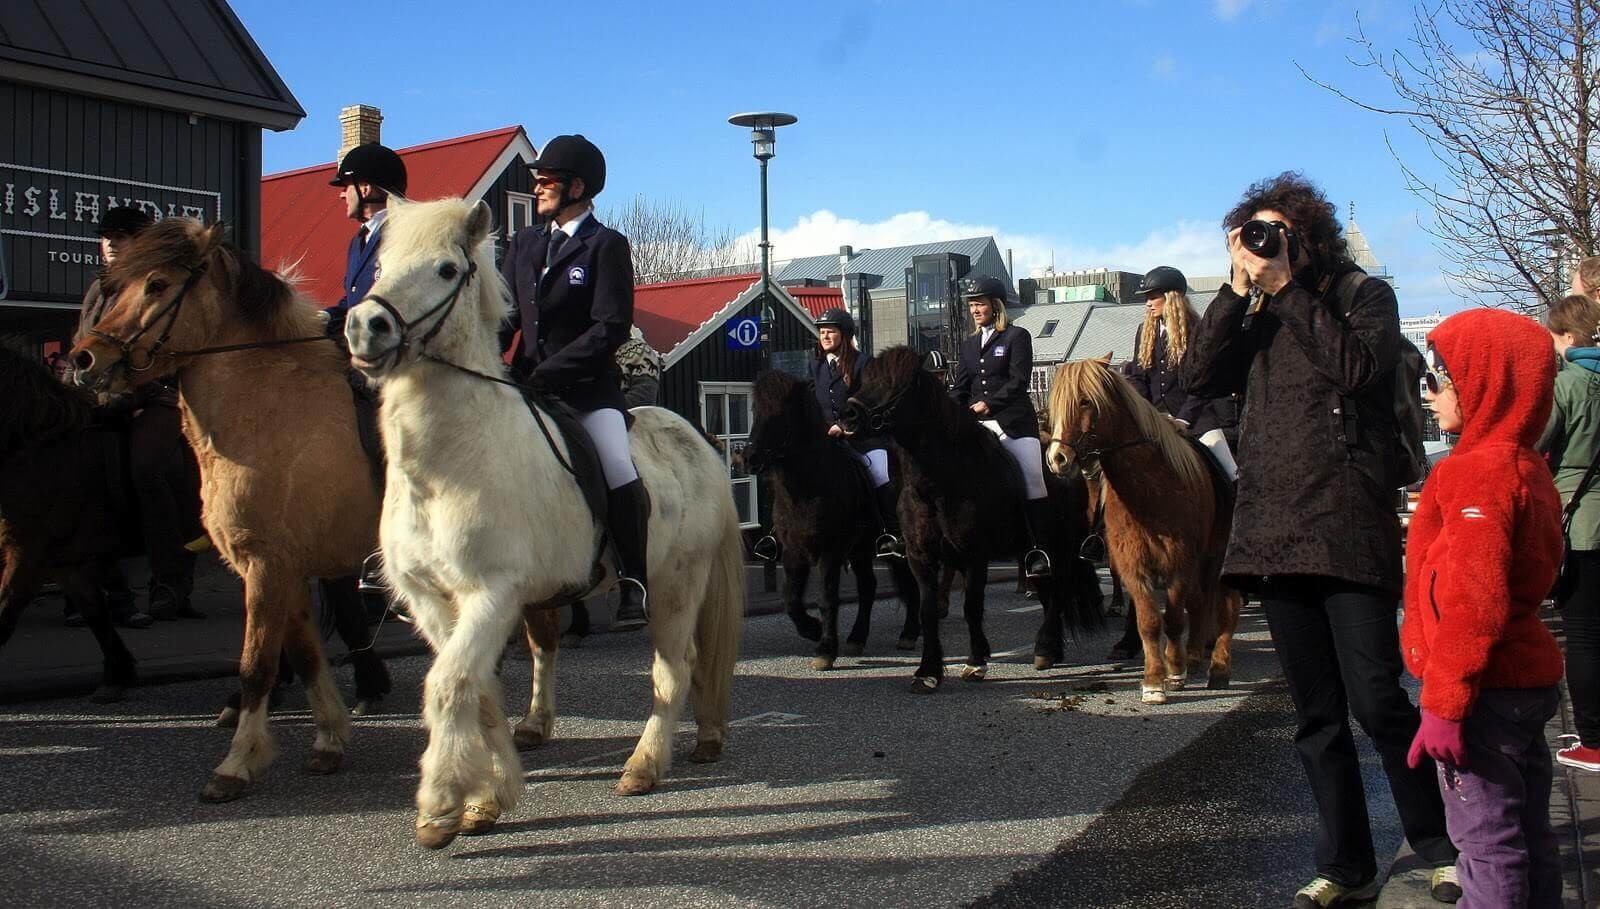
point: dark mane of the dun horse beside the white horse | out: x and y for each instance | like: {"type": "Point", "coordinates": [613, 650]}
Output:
{"type": "Point", "coordinates": [258, 294]}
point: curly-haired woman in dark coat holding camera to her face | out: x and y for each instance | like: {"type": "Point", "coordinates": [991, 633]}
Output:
{"type": "Point", "coordinates": [1314, 350]}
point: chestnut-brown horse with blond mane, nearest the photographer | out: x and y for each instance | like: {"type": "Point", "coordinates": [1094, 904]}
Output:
{"type": "Point", "coordinates": [1167, 519]}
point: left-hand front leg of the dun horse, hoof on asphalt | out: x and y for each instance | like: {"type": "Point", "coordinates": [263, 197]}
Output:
{"type": "Point", "coordinates": [254, 750]}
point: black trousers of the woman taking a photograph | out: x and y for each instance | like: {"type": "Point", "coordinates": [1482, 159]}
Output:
{"type": "Point", "coordinates": [1340, 649]}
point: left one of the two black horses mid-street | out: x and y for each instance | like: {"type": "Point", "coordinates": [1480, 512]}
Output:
{"type": "Point", "coordinates": [822, 516]}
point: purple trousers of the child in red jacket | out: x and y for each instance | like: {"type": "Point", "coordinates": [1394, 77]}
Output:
{"type": "Point", "coordinates": [1498, 809]}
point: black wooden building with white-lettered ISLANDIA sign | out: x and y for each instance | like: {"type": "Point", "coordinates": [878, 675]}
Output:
{"type": "Point", "coordinates": [148, 103]}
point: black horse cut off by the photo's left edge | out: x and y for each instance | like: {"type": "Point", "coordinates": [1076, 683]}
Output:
{"type": "Point", "coordinates": [65, 513]}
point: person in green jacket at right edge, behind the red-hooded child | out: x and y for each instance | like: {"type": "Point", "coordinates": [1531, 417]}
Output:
{"type": "Point", "coordinates": [1572, 442]}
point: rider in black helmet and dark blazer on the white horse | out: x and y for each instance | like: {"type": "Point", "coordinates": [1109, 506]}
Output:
{"type": "Point", "coordinates": [574, 286]}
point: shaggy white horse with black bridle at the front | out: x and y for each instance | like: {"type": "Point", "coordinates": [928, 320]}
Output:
{"type": "Point", "coordinates": [481, 518]}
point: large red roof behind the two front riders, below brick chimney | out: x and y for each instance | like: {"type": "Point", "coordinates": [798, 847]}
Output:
{"type": "Point", "coordinates": [303, 218]}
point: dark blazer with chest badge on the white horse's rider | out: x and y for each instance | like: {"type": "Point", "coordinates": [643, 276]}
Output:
{"type": "Point", "coordinates": [575, 318]}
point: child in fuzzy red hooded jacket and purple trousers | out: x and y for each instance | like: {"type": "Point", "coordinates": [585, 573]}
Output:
{"type": "Point", "coordinates": [1482, 553]}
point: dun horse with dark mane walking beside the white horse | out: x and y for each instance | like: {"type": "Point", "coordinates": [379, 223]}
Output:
{"type": "Point", "coordinates": [286, 483]}
